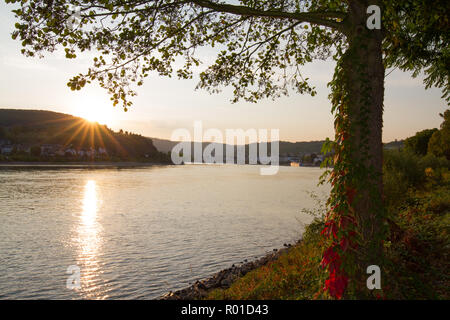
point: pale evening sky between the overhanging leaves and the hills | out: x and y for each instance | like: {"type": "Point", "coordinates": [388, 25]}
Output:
{"type": "Point", "coordinates": [164, 105]}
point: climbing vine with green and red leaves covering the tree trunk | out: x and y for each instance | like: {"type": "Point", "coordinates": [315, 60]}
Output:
{"type": "Point", "coordinates": [346, 248]}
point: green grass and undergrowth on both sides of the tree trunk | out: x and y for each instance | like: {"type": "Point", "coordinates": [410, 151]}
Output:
{"type": "Point", "coordinates": [417, 250]}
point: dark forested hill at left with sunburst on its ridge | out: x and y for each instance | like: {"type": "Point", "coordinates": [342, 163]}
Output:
{"type": "Point", "coordinates": [36, 128]}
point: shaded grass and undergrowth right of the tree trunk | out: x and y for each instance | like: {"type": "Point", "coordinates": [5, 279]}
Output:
{"type": "Point", "coordinates": [418, 252]}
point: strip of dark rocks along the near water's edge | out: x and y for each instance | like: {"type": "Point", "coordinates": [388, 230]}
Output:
{"type": "Point", "coordinates": [224, 278]}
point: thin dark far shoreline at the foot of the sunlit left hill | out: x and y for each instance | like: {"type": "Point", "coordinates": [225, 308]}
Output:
{"type": "Point", "coordinates": [75, 165]}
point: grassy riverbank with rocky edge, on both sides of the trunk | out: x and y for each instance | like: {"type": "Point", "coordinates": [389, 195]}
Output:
{"type": "Point", "coordinates": [416, 259]}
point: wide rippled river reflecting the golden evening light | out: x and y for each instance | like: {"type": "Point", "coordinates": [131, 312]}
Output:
{"type": "Point", "coordinates": [138, 233]}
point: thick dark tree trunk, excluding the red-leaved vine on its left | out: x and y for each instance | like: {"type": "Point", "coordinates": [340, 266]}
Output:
{"type": "Point", "coordinates": [365, 73]}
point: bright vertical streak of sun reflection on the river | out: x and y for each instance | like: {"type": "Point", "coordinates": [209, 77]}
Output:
{"type": "Point", "coordinates": [89, 243]}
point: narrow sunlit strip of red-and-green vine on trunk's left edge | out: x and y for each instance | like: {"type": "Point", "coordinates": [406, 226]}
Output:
{"type": "Point", "coordinates": [340, 226]}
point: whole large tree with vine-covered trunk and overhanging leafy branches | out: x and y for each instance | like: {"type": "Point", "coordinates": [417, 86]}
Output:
{"type": "Point", "coordinates": [261, 46]}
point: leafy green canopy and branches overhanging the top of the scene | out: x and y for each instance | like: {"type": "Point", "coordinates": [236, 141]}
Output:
{"type": "Point", "coordinates": [260, 45]}
